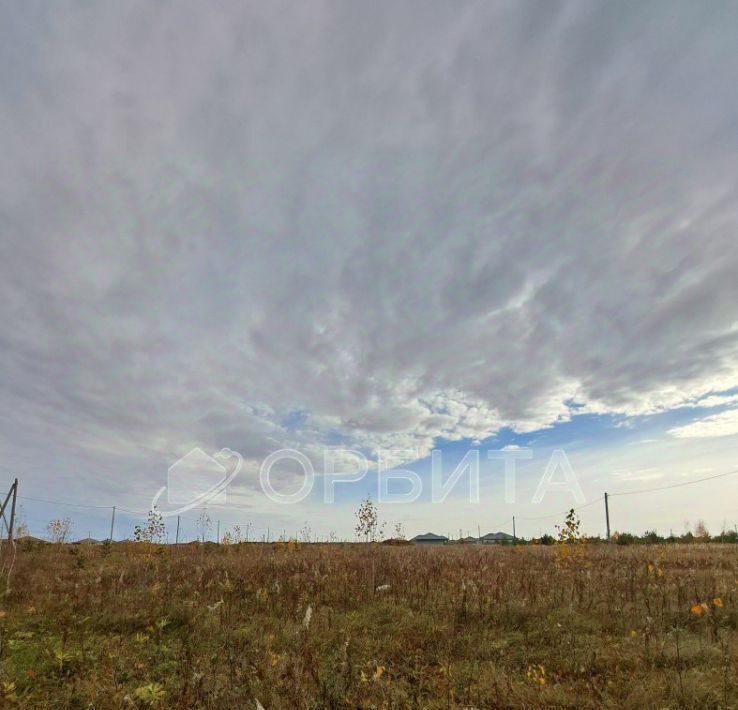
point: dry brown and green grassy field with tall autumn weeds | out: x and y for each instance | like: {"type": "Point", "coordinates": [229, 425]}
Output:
{"type": "Point", "coordinates": [369, 626]}
